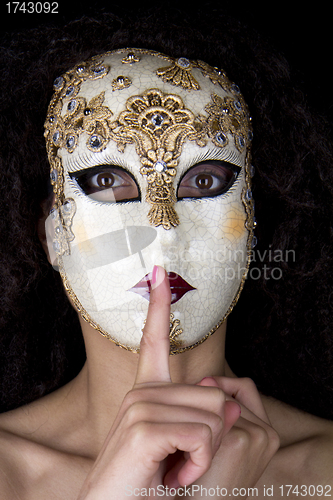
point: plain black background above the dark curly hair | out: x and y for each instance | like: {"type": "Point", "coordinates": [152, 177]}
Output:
{"type": "Point", "coordinates": [302, 34]}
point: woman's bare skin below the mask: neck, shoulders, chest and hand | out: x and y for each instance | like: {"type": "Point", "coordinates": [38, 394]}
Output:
{"type": "Point", "coordinates": [121, 419]}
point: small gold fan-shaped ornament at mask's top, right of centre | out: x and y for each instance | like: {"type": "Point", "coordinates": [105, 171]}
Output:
{"type": "Point", "coordinates": [179, 74]}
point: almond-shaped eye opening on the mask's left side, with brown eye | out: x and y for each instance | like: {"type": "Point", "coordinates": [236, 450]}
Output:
{"type": "Point", "coordinates": [107, 184]}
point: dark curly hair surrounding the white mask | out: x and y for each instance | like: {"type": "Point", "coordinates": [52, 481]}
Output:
{"type": "Point", "coordinates": [280, 331]}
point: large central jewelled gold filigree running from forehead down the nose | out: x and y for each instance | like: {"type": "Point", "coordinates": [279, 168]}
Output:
{"type": "Point", "coordinates": [158, 124]}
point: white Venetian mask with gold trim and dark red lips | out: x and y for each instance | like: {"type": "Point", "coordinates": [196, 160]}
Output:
{"type": "Point", "coordinates": [150, 164]}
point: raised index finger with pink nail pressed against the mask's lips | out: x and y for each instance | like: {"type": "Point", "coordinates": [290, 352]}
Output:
{"type": "Point", "coordinates": [155, 343]}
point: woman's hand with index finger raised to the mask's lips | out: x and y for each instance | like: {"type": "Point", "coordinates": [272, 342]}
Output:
{"type": "Point", "coordinates": [158, 418]}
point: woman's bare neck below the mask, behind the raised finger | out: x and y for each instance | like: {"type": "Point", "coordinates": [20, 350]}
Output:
{"type": "Point", "coordinates": [109, 373]}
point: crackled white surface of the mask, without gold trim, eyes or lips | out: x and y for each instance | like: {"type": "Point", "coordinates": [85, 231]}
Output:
{"type": "Point", "coordinates": [208, 248]}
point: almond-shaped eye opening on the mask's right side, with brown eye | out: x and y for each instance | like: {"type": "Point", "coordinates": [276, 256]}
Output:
{"type": "Point", "coordinates": [207, 179]}
